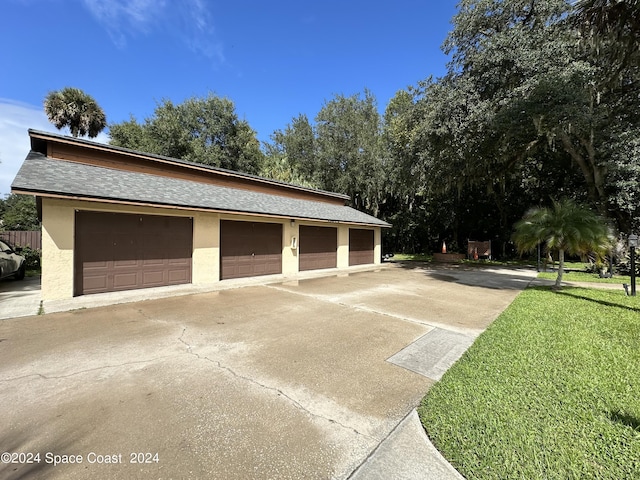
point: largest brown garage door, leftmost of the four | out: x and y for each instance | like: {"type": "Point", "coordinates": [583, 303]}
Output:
{"type": "Point", "coordinates": [116, 251]}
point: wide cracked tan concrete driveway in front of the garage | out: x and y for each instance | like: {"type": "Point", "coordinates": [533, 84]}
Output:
{"type": "Point", "coordinates": [288, 380]}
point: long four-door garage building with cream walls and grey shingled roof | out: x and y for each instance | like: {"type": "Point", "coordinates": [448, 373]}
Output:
{"type": "Point", "coordinates": [115, 219]}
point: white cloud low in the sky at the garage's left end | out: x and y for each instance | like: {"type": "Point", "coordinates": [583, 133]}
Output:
{"type": "Point", "coordinates": [16, 118]}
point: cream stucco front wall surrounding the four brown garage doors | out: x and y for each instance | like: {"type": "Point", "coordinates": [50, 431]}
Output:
{"type": "Point", "coordinates": [58, 228]}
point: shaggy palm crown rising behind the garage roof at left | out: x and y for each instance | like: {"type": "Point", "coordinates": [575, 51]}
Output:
{"type": "Point", "coordinates": [71, 107]}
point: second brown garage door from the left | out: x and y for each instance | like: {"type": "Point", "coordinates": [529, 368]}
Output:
{"type": "Point", "coordinates": [250, 249]}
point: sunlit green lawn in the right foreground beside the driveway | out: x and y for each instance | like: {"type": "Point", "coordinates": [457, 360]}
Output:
{"type": "Point", "coordinates": [551, 390]}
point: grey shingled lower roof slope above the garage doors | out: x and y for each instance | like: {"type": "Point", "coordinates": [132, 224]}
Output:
{"type": "Point", "coordinates": [44, 176]}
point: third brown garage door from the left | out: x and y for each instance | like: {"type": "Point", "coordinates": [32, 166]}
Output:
{"type": "Point", "coordinates": [318, 247]}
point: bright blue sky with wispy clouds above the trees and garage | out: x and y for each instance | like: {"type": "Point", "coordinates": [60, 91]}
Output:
{"type": "Point", "coordinates": [274, 60]}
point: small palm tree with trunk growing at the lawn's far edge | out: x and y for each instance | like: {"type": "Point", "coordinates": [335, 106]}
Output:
{"type": "Point", "coordinates": [565, 227]}
